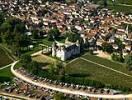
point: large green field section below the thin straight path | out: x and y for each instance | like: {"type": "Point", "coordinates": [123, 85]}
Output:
{"type": "Point", "coordinates": [98, 73]}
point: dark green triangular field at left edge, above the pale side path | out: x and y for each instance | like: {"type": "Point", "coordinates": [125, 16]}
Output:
{"type": "Point", "coordinates": [4, 59]}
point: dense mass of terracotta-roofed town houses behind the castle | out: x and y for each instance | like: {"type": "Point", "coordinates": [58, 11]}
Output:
{"type": "Point", "coordinates": [93, 24]}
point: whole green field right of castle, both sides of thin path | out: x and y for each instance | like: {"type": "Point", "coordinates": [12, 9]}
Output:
{"type": "Point", "coordinates": [98, 73]}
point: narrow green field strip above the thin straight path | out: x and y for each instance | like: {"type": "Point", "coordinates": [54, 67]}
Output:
{"type": "Point", "coordinates": [108, 63]}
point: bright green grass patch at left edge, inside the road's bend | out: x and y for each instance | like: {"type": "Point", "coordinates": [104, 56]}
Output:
{"type": "Point", "coordinates": [6, 75]}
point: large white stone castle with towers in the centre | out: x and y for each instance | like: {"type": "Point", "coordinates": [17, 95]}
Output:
{"type": "Point", "coordinates": [65, 50]}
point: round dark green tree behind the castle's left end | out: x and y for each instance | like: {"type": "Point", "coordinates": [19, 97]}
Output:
{"type": "Point", "coordinates": [53, 34]}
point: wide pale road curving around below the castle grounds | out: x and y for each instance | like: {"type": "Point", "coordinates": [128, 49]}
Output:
{"type": "Point", "coordinates": [65, 90]}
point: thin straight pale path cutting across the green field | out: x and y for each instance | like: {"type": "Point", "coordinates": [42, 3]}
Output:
{"type": "Point", "coordinates": [107, 67]}
